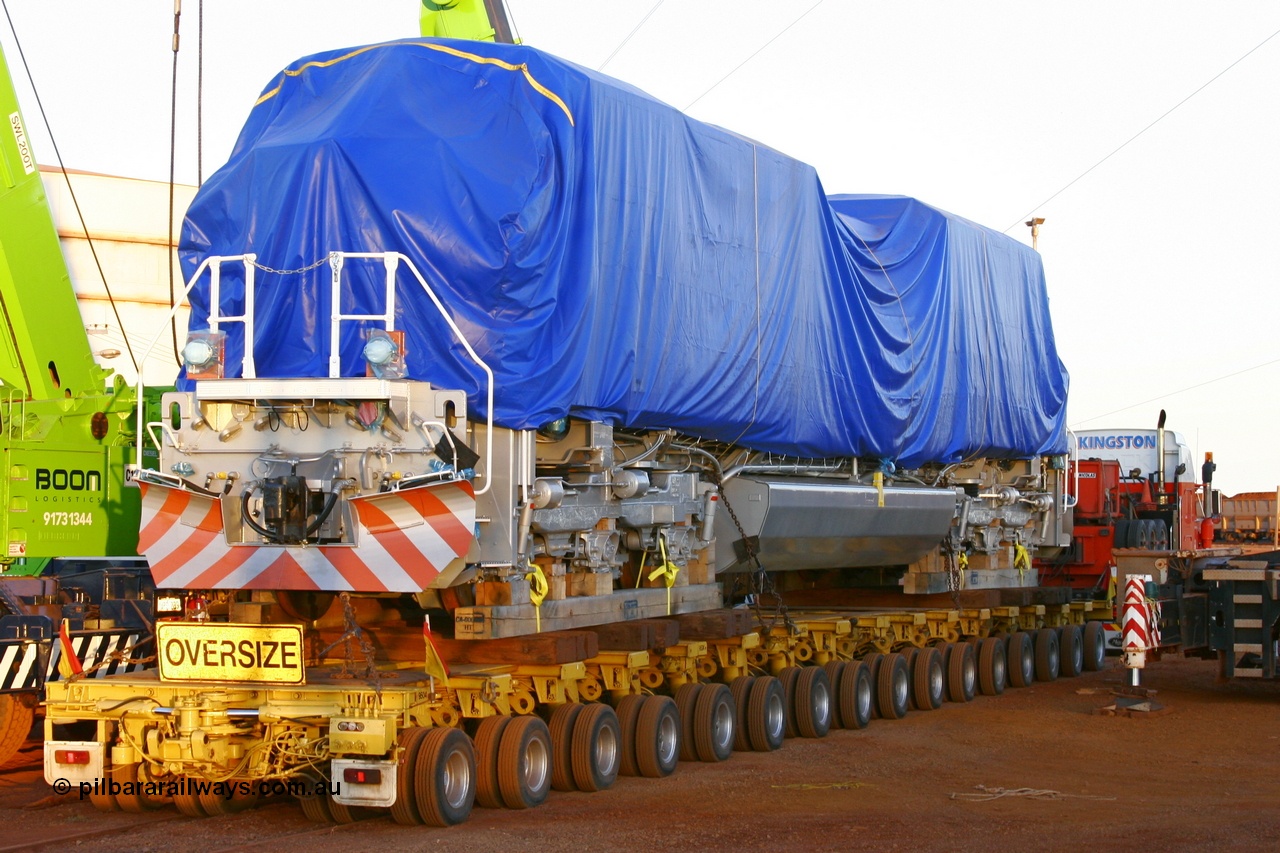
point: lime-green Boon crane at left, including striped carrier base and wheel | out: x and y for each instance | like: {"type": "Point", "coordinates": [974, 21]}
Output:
{"type": "Point", "coordinates": [67, 431]}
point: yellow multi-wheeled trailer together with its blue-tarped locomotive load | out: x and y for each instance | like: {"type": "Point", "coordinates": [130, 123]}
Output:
{"type": "Point", "coordinates": [534, 381]}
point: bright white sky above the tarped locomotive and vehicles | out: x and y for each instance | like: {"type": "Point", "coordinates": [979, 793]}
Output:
{"type": "Point", "coordinates": [1156, 262]}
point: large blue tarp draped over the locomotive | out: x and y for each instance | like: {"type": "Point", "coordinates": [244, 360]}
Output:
{"type": "Point", "coordinates": [614, 259]}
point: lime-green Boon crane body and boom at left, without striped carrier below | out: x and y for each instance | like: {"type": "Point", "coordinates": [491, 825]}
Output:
{"type": "Point", "coordinates": [66, 434]}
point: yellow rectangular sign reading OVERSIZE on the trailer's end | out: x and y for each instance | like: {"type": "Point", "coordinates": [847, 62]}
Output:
{"type": "Point", "coordinates": [231, 653]}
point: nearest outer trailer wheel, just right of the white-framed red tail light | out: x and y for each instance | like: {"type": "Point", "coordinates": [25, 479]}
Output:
{"type": "Point", "coordinates": [446, 773]}
